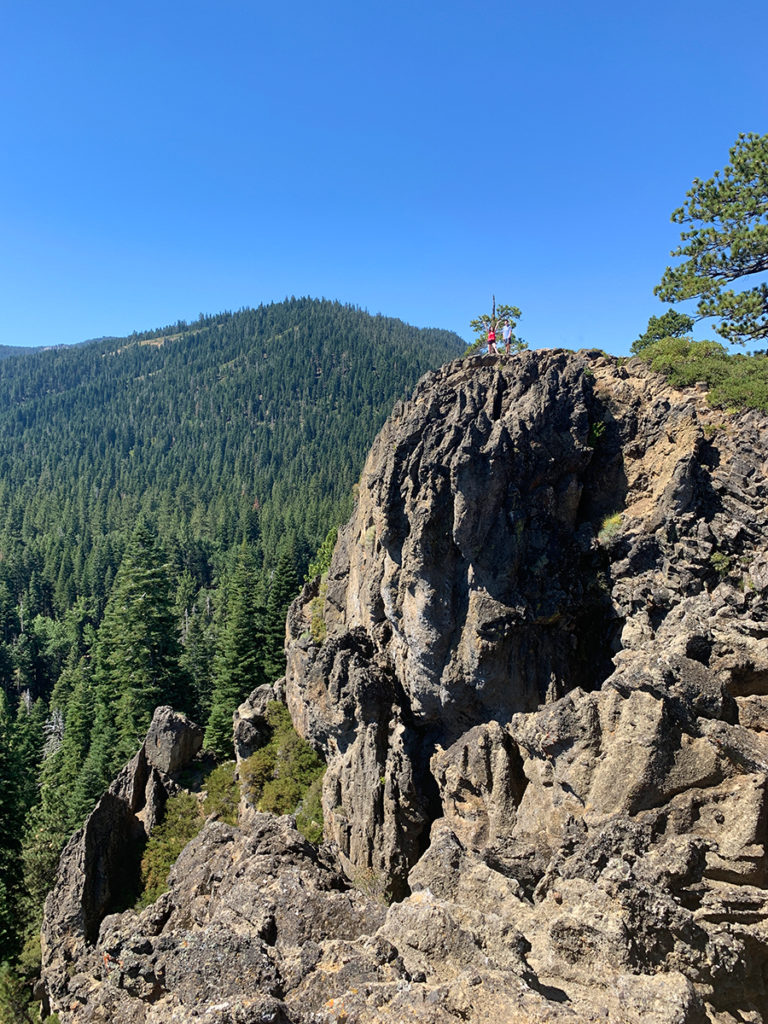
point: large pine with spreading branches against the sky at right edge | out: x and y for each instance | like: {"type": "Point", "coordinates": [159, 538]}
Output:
{"type": "Point", "coordinates": [729, 241]}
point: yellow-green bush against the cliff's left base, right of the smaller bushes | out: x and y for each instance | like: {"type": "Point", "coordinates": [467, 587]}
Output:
{"type": "Point", "coordinates": [285, 776]}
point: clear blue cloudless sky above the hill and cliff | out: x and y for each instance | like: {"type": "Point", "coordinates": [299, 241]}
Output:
{"type": "Point", "coordinates": [164, 159]}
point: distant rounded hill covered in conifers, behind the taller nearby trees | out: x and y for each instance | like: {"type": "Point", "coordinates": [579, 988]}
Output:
{"type": "Point", "coordinates": [253, 422]}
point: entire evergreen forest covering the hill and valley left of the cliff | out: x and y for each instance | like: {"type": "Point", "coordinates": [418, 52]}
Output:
{"type": "Point", "coordinates": [162, 498]}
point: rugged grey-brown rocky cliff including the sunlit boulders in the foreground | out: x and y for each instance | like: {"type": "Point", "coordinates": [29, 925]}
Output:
{"type": "Point", "coordinates": [538, 670]}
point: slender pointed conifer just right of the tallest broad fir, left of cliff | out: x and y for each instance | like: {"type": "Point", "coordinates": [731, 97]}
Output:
{"type": "Point", "coordinates": [239, 663]}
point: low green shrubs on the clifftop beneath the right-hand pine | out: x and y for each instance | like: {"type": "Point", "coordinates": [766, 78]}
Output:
{"type": "Point", "coordinates": [736, 381]}
